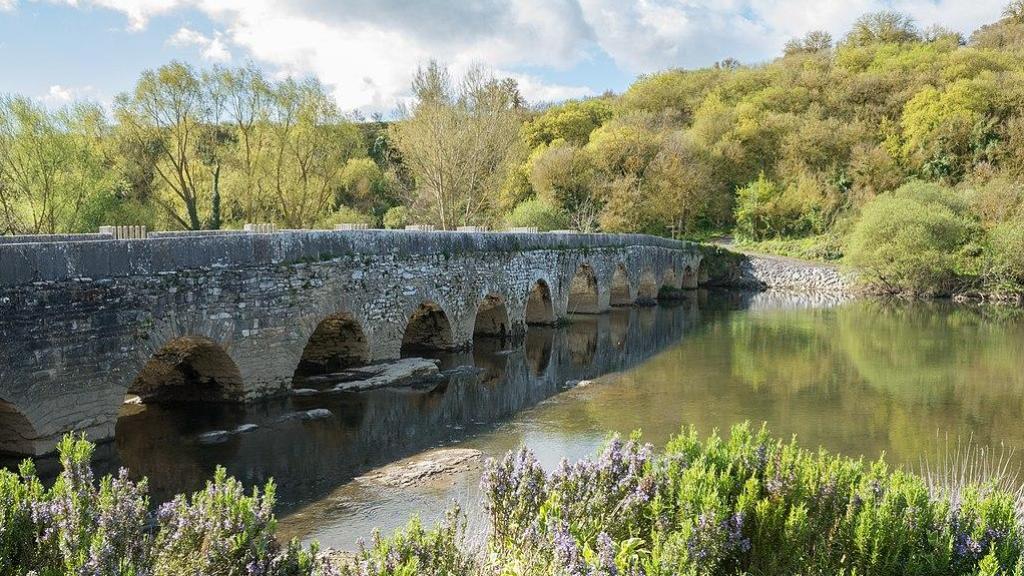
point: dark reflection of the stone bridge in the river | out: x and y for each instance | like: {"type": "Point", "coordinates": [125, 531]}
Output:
{"type": "Point", "coordinates": [310, 458]}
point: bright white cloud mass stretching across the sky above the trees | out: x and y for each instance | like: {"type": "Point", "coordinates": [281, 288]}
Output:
{"type": "Point", "coordinates": [367, 51]}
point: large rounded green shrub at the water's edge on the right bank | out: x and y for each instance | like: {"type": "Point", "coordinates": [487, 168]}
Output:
{"type": "Point", "coordinates": [920, 239]}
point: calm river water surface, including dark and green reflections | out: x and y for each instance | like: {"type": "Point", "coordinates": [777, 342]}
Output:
{"type": "Point", "coordinates": [860, 378]}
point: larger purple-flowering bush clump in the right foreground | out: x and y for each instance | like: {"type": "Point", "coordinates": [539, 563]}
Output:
{"type": "Point", "coordinates": [749, 505]}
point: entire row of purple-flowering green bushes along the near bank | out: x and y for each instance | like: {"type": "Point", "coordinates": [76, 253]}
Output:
{"type": "Point", "coordinates": [749, 505]}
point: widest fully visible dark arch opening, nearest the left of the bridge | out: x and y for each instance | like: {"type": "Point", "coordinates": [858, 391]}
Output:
{"type": "Point", "coordinates": [189, 369]}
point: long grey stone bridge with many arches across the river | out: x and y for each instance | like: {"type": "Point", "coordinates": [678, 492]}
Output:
{"type": "Point", "coordinates": [236, 317]}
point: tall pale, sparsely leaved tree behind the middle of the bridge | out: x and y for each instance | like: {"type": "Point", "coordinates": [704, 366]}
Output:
{"type": "Point", "coordinates": [457, 141]}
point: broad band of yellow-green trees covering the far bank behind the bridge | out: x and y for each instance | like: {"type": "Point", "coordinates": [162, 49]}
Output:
{"type": "Point", "coordinates": [792, 155]}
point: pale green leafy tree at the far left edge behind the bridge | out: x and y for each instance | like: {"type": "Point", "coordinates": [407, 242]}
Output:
{"type": "Point", "coordinates": [51, 163]}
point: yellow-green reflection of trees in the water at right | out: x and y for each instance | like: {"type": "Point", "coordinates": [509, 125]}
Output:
{"type": "Point", "coordinates": [868, 376]}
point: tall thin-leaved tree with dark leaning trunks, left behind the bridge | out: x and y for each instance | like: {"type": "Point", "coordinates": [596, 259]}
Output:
{"type": "Point", "coordinates": [168, 110]}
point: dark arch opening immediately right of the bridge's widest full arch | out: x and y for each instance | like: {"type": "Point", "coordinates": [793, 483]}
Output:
{"type": "Point", "coordinates": [337, 344]}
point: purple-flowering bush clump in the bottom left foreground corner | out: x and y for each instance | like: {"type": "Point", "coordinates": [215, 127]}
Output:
{"type": "Point", "coordinates": [84, 527]}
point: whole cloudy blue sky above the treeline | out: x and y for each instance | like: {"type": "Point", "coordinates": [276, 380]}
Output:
{"type": "Point", "coordinates": [366, 52]}
